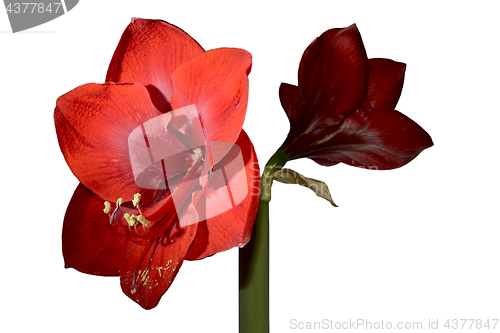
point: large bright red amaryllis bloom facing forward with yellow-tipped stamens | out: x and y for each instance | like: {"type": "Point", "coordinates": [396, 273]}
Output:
{"type": "Point", "coordinates": [166, 172]}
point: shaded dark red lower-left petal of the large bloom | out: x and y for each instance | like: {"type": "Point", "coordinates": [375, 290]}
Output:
{"type": "Point", "coordinates": [90, 244]}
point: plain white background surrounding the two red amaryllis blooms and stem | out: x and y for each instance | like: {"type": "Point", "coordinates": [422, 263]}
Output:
{"type": "Point", "coordinates": [417, 243]}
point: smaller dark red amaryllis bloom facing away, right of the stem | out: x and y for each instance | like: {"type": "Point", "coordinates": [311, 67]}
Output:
{"type": "Point", "coordinates": [343, 107]}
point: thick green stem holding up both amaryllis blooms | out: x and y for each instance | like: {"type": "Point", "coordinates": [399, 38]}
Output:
{"type": "Point", "coordinates": [254, 260]}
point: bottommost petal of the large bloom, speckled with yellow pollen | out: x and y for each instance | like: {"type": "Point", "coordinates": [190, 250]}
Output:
{"type": "Point", "coordinates": [150, 266]}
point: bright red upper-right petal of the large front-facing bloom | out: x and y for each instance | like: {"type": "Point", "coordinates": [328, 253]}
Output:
{"type": "Point", "coordinates": [216, 83]}
